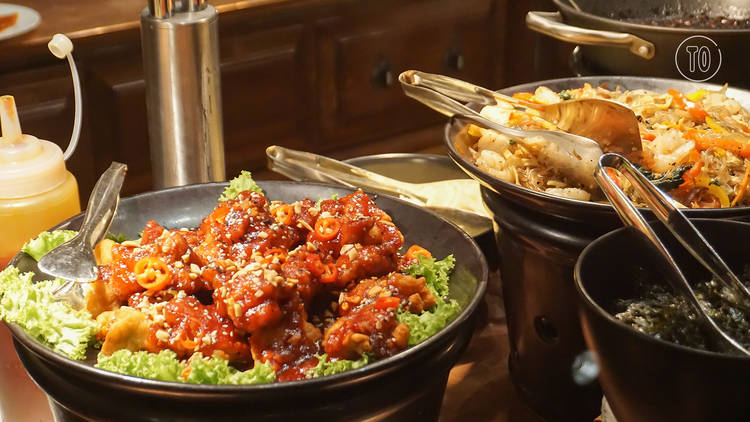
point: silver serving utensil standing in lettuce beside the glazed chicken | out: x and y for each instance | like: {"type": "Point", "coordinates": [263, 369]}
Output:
{"type": "Point", "coordinates": [74, 260]}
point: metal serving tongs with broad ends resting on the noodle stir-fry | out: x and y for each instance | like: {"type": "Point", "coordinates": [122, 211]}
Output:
{"type": "Point", "coordinates": [588, 127]}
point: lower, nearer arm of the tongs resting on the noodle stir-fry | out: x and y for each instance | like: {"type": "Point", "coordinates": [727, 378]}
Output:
{"type": "Point", "coordinates": [572, 155]}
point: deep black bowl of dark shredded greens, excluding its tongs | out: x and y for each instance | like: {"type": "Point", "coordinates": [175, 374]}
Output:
{"type": "Point", "coordinates": [656, 362]}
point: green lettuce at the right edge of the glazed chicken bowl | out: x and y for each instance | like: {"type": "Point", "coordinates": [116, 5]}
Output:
{"type": "Point", "coordinates": [429, 322]}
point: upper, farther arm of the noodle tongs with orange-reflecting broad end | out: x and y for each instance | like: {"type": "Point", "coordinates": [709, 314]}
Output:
{"type": "Point", "coordinates": [610, 124]}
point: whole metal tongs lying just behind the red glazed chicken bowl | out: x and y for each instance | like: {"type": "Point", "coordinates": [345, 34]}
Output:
{"type": "Point", "coordinates": [299, 165]}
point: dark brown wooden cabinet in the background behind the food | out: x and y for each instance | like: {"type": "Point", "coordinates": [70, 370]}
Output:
{"type": "Point", "coordinates": [314, 75]}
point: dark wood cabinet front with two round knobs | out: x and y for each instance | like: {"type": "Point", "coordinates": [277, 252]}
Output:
{"type": "Point", "coordinates": [360, 62]}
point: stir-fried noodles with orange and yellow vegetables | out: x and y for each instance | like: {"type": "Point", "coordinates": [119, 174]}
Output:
{"type": "Point", "coordinates": [695, 145]}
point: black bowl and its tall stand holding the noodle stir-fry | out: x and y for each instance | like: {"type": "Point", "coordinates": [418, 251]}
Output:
{"type": "Point", "coordinates": [539, 237]}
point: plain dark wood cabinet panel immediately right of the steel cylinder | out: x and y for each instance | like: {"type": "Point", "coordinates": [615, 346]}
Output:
{"type": "Point", "coordinates": [268, 90]}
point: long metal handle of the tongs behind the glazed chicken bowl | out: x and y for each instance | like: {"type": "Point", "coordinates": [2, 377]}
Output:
{"type": "Point", "coordinates": [299, 165]}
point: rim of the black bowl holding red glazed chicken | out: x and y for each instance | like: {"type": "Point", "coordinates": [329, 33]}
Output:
{"type": "Point", "coordinates": [382, 367]}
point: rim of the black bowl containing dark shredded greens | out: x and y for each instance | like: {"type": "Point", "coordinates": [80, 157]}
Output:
{"type": "Point", "coordinates": [589, 302]}
